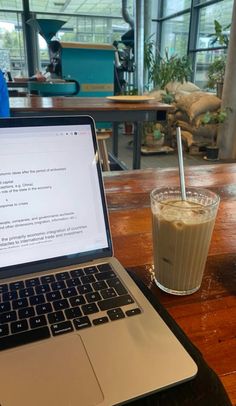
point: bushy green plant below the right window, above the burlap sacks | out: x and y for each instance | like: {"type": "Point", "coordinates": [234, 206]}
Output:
{"type": "Point", "coordinates": [162, 70]}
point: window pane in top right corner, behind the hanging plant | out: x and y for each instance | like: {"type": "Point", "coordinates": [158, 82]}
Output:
{"type": "Point", "coordinates": [222, 12]}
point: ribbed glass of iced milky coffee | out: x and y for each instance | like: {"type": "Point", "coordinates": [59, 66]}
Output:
{"type": "Point", "coordinates": [182, 233]}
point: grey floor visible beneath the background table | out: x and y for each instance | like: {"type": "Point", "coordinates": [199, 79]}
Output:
{"type": "Point", "coordinates": [163, 160]}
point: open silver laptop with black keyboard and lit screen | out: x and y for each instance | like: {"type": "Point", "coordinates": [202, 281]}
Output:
{"type": "Point", "coordinates": [75, 329]}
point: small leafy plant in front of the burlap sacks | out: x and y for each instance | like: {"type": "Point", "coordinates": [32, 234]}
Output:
{"type": "Point", "coordinates": [216, 118]}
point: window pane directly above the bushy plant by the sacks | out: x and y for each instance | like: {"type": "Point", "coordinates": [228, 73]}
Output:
{"type": "Point", "coordinates": [175, 35]}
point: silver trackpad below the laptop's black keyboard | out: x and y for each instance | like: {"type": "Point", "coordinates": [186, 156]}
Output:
{"type": "Point", "coordinates": [54, 372]}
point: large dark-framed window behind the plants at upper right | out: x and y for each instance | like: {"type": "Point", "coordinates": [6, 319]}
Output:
{"type": "Point", "coordinates": [184, 29]}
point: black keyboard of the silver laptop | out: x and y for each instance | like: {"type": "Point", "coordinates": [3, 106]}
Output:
{"type": "Point", "coordinates": [59, 303]}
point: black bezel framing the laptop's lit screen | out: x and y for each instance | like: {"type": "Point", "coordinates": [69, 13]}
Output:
{"type": "Point", "coordinates": [66, 260]}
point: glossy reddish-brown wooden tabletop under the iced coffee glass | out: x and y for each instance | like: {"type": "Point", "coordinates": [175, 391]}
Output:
{"type": "Point", "coordinates": [208, 316]}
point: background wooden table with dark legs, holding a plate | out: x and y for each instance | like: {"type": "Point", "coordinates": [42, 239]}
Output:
{"type": "Point", "coordinates": [99, 108]}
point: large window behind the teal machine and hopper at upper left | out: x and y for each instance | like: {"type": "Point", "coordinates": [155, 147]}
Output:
{"type": "Point", "coordinates": [97, 21]}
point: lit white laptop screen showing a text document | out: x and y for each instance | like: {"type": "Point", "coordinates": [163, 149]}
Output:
{"type": "Point", "coordinates": [51, 194]}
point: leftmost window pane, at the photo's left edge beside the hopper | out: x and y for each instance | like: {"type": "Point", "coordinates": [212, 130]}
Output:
{"type": "Point", "coordinates": [12, 53]}
